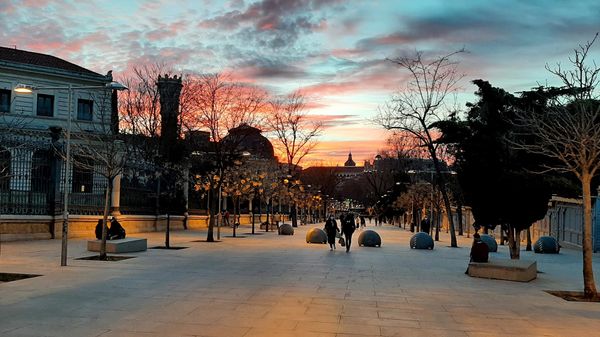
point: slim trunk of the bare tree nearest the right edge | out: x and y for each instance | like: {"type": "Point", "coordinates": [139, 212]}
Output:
{"type": "Point", "coordinates": [589, 285]}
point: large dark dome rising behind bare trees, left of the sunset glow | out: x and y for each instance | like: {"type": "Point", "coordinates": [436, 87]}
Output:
{"type": "Point", "coordinates": [248, 138]}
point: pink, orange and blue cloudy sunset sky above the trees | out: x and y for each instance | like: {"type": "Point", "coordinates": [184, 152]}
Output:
{"type": "Point", "coordinates": [334, 51]}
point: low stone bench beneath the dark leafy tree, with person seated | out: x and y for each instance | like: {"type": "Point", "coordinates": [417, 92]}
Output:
{"type": "Point", "coordinates": [504, 269]}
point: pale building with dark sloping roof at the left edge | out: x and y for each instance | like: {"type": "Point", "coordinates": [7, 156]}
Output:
{"type": "Point", "coordinates": [33, 138]}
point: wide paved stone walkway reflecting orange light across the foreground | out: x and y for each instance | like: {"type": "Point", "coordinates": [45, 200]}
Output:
{"type": "Point", "coordinates": [270, 285]}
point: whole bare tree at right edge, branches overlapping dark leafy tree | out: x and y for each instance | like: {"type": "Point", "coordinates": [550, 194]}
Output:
{"type": "Point", "coordinates": [568, 133]}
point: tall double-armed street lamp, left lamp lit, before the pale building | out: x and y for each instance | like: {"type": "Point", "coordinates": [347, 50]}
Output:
{"type": "Point", "coordinates": [28, 89]}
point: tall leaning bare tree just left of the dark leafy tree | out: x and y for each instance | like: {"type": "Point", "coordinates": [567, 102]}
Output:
{"type": "Point", "coordinates": [415, 109]}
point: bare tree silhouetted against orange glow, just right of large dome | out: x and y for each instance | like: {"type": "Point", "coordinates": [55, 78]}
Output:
{"type": "Point", "coordinates": [295, 133]}
